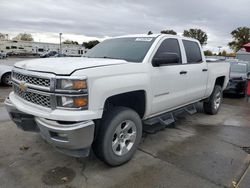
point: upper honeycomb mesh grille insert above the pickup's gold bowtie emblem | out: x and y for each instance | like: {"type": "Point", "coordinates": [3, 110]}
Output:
{"type": "Point", "coordinates": [44, 82]}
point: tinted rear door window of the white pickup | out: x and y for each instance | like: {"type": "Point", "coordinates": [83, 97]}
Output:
{"type": "Point", "coordinates": [193, 51]}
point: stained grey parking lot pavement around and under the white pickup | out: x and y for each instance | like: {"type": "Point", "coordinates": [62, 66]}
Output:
{"type": "Point", "coordinates": [200, 151]}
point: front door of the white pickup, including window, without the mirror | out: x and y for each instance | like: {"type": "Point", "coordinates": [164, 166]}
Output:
{"type": "Point", "coordinates": [168, 80]}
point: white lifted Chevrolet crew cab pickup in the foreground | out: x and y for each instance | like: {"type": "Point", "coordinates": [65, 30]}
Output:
{"type": "Point", "coordinates": [103, 99]}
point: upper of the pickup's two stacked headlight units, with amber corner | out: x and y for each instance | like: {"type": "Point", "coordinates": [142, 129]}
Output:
{"type": "Point", "coordinates": [71, 84]}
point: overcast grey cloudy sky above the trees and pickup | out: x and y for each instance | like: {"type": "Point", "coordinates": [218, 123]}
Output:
{"type": "Point", "coordinates": [83, 20]}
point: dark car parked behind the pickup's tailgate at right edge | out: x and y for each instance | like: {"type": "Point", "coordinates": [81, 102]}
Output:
{"type": "Point", "coordinates": [238, 79]}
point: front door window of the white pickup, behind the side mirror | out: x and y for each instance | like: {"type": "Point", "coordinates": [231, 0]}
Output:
{"type": "Point", "coordinates": [169, 46]}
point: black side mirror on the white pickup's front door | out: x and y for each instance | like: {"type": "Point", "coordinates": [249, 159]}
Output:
{"type": "Point", "coordinates": [165, 59]}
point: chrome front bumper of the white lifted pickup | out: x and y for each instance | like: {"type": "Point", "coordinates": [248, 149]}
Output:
{"type": "Point", "coordinates": [71, 138]}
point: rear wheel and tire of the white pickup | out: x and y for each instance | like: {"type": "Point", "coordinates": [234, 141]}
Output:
{"type": "Point", "coordinates": [213, 104]}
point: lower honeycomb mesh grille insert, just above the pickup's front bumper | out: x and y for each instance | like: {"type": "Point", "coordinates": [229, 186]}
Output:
{"type": "Point", "coordinates": [32, 97]}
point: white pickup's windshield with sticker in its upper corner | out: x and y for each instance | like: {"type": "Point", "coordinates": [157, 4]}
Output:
{"type": "Point", "coordinates": [132, 49]}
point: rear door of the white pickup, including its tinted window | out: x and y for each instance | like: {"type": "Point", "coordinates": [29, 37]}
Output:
{"type": "Point", "coordinates": [197, 71]}
